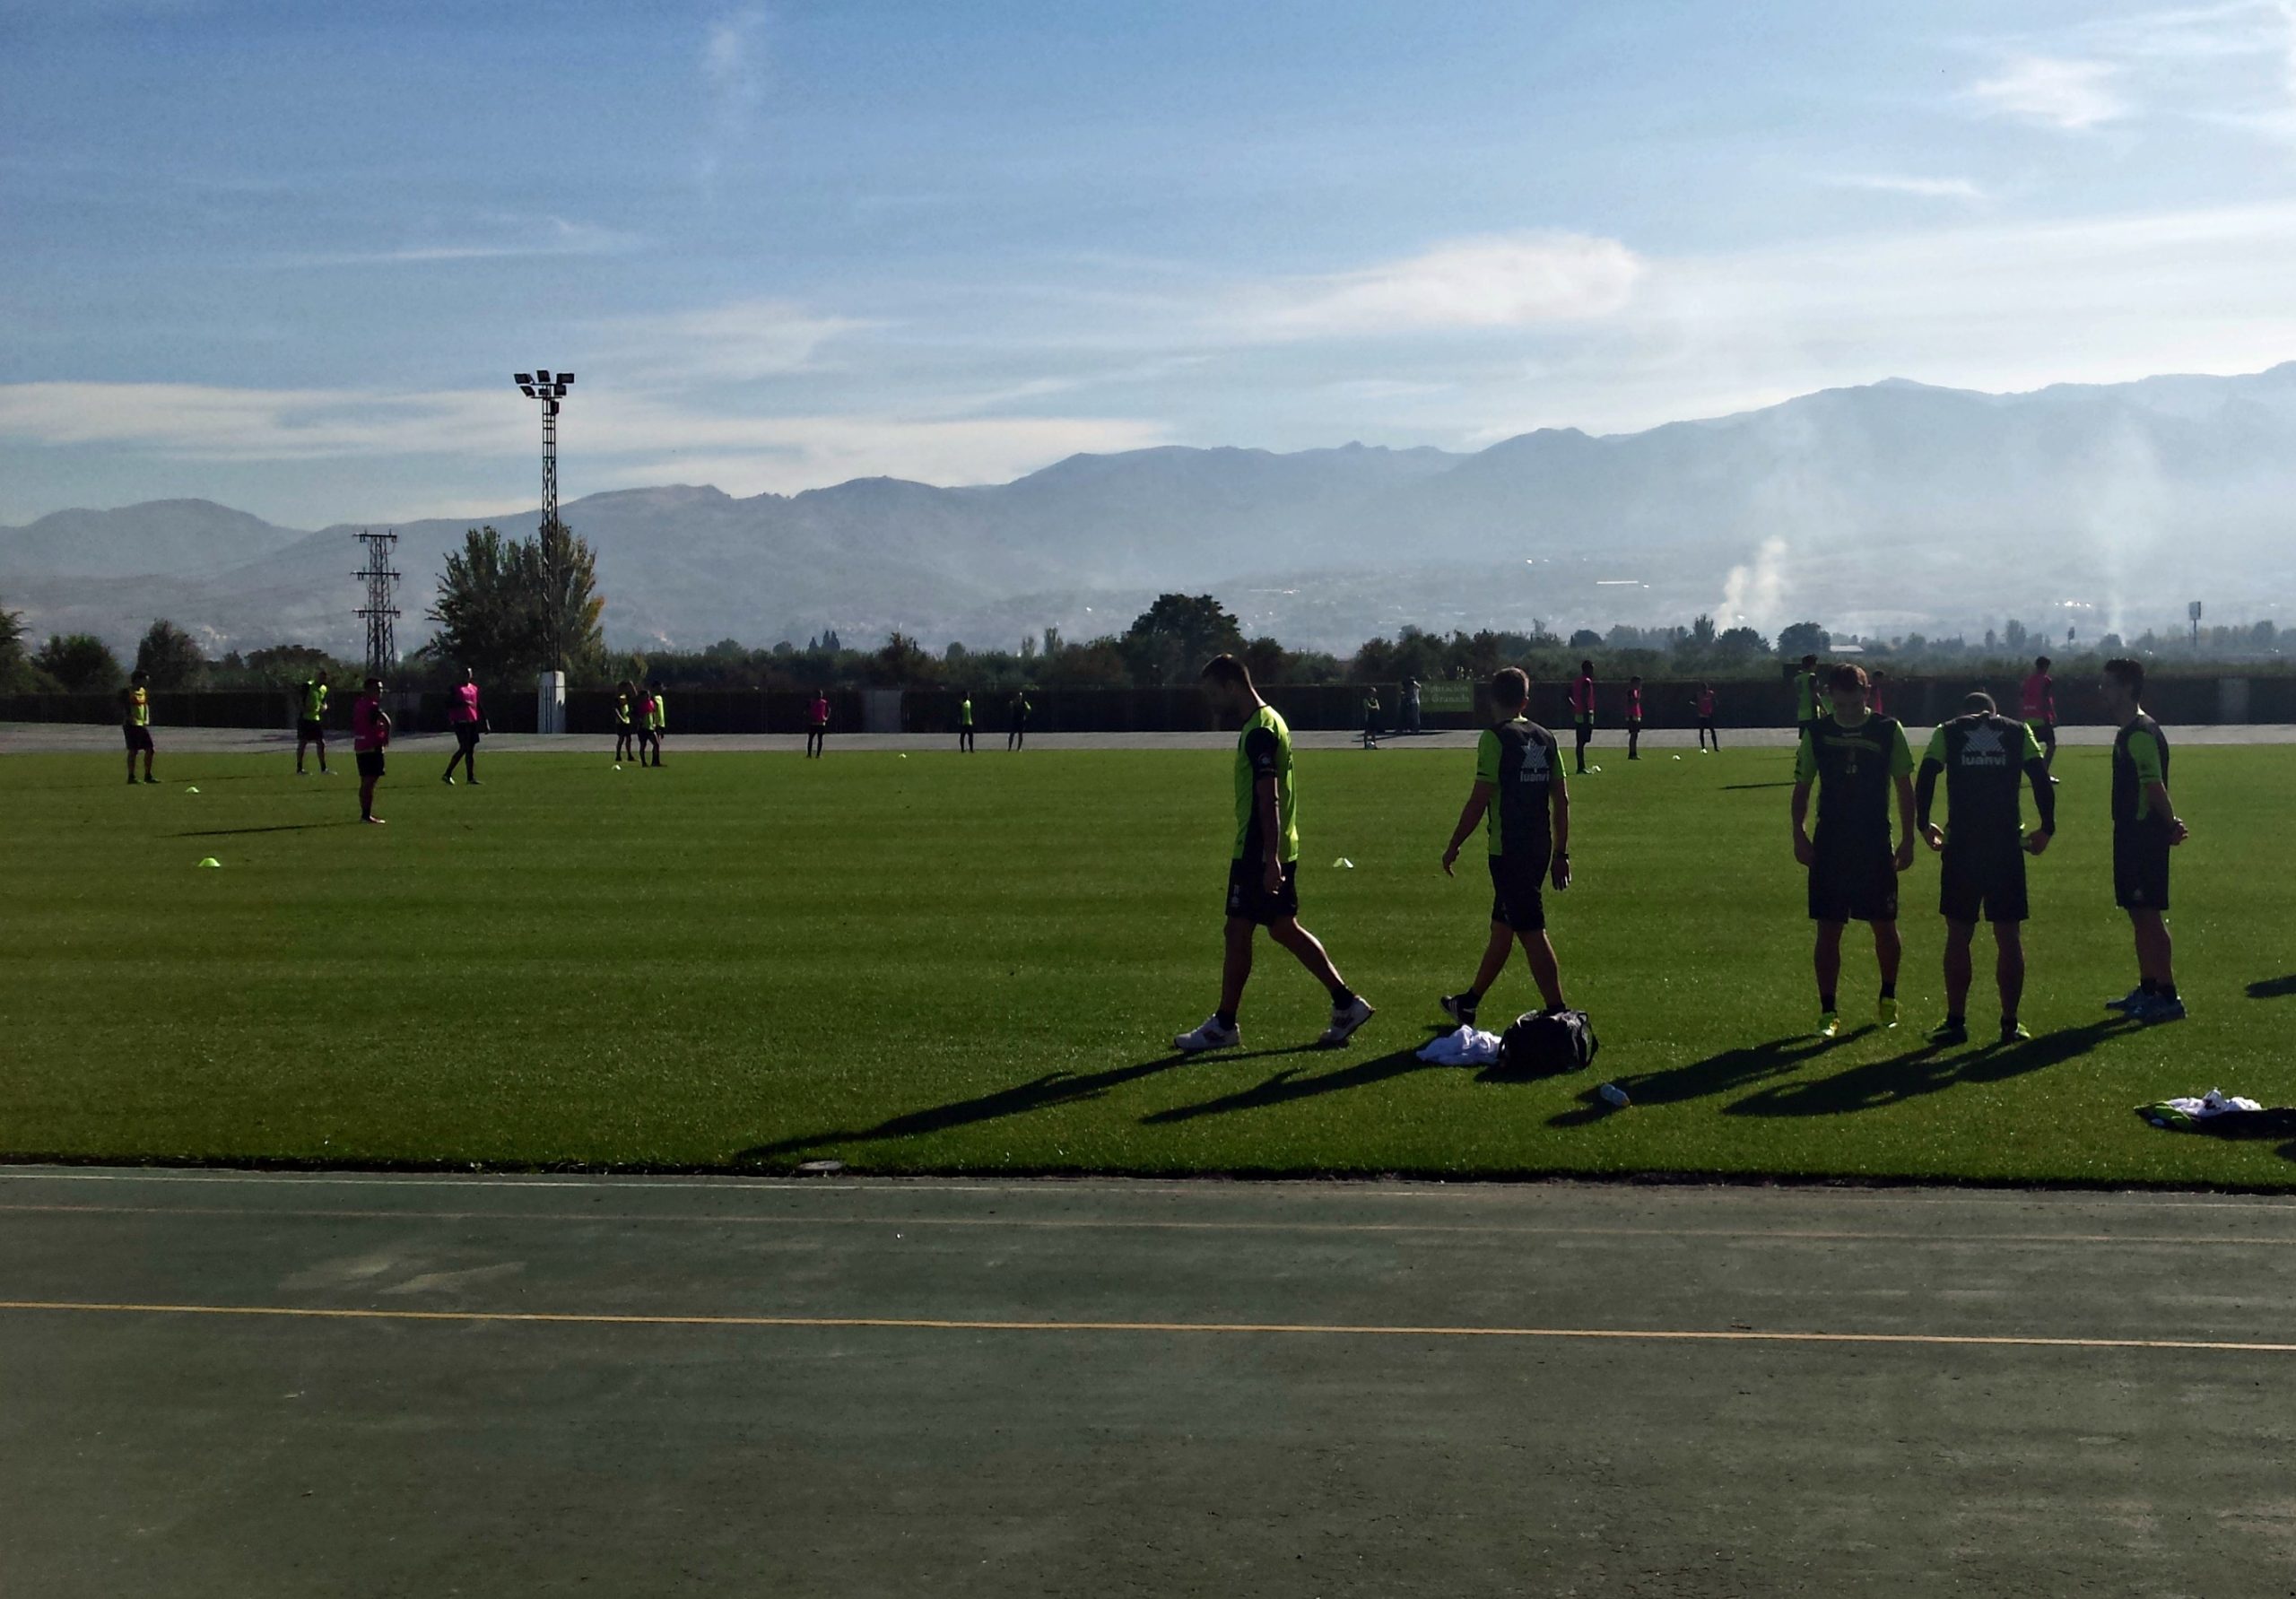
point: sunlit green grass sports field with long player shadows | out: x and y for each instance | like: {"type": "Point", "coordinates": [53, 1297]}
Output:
{"type": "Point", "coordinates": [947, 964]}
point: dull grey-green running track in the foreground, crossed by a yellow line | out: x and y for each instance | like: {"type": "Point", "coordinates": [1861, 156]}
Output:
{"type": "Point", "coordinates": [256, 1384]}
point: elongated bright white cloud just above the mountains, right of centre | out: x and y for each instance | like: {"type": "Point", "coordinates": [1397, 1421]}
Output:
{"type": "Point", "coordinates": [1471, 284]}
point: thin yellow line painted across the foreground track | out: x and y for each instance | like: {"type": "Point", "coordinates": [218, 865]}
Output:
{"type": "Point", "coordinates": [1296, 1329]}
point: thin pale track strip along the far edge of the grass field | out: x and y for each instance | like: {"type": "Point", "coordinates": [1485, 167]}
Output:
{"type": "Point", "coordinates": [65, 739]}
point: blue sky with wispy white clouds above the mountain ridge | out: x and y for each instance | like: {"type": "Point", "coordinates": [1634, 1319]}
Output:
{"type": "Point", "coordinates": [288, 256]}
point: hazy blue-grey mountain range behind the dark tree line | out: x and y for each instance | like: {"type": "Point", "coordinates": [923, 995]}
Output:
{"type": "Point", "coordinates": [1884, 509]}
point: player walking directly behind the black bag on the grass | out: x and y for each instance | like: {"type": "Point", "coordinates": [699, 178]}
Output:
{"type": "Point", "coordinates": [1526, 812]}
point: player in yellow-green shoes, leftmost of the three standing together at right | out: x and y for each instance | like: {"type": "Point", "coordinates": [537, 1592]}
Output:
{"type": "Point", "coordinates": [1856, 759]}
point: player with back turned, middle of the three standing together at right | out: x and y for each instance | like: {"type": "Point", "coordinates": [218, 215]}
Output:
{"type": "Point", "coordinates": [1983, 757]}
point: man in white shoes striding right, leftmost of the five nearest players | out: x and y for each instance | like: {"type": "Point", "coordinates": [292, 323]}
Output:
{"type": "Point", "coordinates": [1264, 874]}
